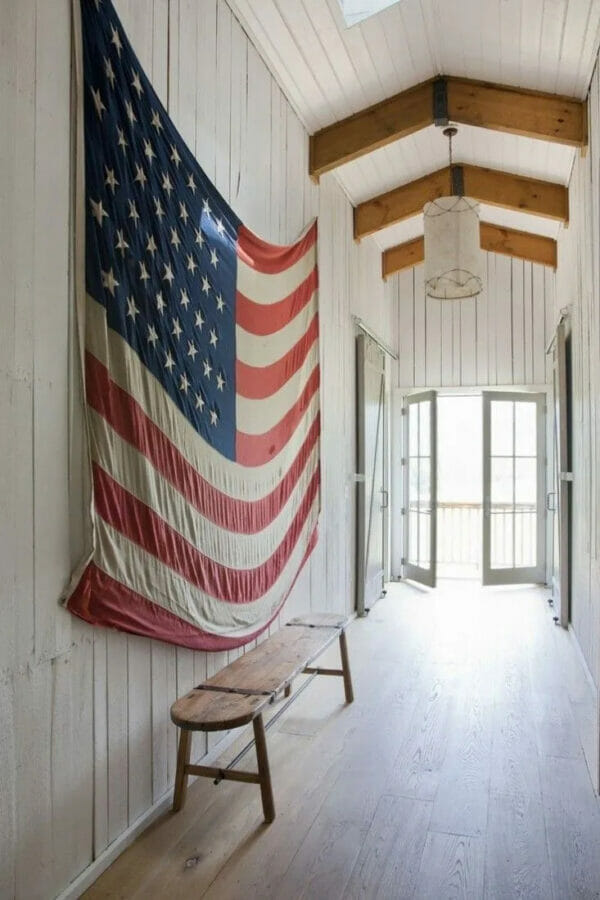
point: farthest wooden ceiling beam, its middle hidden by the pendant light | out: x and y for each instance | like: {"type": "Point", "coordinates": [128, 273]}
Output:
{"type": "Point", "coordinates": [508, 241]}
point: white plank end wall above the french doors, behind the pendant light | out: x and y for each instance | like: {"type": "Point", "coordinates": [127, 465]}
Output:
{"type": "Point", "coordinates": [498, 338]}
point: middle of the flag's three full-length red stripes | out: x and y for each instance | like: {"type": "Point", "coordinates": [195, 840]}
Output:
{"type": "Point", "coordinates": [140, 524]}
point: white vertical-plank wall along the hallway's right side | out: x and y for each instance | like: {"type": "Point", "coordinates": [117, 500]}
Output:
{"type": "Point", "coordinates": [578, 287]}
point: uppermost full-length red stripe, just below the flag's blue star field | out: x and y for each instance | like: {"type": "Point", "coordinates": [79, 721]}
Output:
{"type": "Point", "coordinates": [127, 418]}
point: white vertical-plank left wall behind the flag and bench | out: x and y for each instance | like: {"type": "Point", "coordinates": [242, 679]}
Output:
{"type": "Point", "coordinates": [86, 746]}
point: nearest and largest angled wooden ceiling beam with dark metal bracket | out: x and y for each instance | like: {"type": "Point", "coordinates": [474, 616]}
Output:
{"type": "Point", "coordinates": [530, 113]}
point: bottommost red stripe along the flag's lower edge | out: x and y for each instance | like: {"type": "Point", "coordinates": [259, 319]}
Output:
{"type": "Point", "coordinates": [101, 600]}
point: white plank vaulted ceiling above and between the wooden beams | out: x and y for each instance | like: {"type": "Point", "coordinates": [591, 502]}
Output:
{"type": "Point", "coordinates": [329, 71]}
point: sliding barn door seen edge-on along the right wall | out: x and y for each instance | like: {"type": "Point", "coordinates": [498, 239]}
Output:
{"type": "Point", "coordinates": [562, 479]}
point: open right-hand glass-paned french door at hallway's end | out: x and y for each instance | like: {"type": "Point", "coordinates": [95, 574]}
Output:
{"type": "Point", "coordinates": [513, 488]}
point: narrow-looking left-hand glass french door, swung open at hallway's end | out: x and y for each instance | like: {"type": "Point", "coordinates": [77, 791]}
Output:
{"type": "Point", "coordinates": [420, 488]}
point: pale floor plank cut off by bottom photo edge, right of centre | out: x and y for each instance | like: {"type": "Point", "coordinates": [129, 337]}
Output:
{"type": "Point", "coordinates": [451, 867]}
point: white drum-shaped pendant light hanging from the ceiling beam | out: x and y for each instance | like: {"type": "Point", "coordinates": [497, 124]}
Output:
{"type": "Point", "coordinates": [453, 257]}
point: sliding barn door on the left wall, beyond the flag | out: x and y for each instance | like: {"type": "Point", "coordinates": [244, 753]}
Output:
{"type": "Point", "coordinates": [371, 485]}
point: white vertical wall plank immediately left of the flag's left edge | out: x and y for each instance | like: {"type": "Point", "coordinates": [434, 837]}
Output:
{"type": "Point", "coordinates": [51, 329]}
